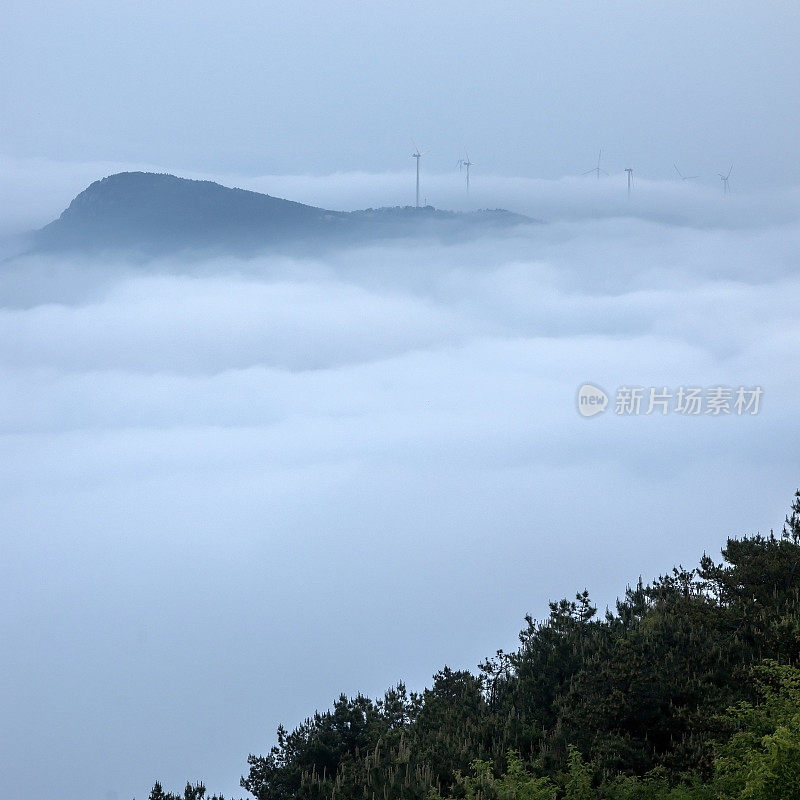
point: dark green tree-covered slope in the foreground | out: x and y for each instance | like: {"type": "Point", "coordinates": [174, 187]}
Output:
{"type": "Point", "coordinates": [688, 690]}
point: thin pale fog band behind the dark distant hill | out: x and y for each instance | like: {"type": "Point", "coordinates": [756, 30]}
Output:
{"type": "Point", "coordinates": [33, 192]}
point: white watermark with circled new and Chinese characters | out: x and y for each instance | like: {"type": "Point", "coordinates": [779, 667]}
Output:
{"type": "Point", "coordinates": [689, 401]}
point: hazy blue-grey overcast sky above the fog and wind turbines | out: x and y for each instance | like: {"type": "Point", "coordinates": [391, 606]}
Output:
{"type": "Point", "coordinates": [528, 88]}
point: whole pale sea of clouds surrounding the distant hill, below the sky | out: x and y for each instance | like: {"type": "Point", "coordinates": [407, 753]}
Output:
{"type": "Point", "coordinates": [232, 489]}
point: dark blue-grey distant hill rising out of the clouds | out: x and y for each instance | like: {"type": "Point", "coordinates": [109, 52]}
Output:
{"type": "Point", "coordinates": [154, 213]}
